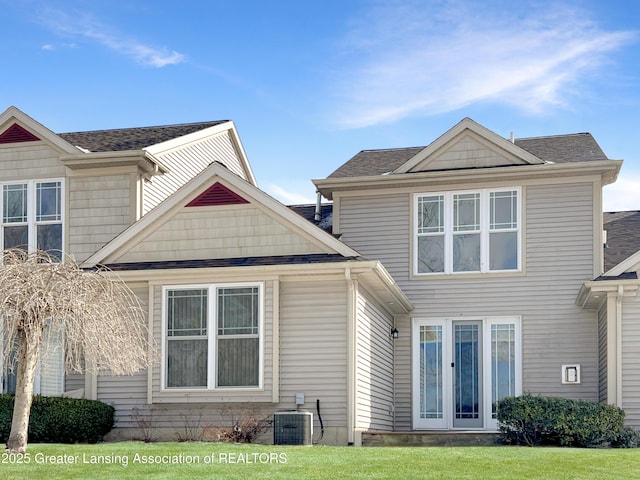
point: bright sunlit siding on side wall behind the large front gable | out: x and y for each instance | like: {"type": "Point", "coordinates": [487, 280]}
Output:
{"type": "Point", "coordinates": [186, 162]}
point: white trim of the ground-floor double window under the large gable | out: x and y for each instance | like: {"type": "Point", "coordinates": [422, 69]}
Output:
{"type": "Point", "coordinates": [212, 335]}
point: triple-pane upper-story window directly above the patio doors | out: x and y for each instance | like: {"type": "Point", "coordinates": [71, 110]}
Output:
{"type": "Point", "coordinates": [468, 232]}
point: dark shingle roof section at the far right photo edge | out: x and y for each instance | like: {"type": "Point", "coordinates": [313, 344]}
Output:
{"type": "Point", "coordinates": [623, 236]}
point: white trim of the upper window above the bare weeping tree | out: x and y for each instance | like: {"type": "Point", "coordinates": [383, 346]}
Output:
{"type": "Point", "coordinates": [31, 211]}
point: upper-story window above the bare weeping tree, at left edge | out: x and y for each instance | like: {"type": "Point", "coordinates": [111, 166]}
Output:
{"type": "Point", "coordinates": [32, 216]}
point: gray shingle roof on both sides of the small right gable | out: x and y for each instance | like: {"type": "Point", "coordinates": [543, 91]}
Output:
{"type": "Point", "coordinates": [577, 147]}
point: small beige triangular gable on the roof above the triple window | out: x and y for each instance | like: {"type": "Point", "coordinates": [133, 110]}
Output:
{"type": "Point", "coordinates": [468, 145]}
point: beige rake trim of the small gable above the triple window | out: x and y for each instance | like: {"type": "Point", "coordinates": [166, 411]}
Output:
{"type": "Point", "coordinates": [468, 124]}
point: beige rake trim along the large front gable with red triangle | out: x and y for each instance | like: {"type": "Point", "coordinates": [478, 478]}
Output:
{"type": "Point", "coordinates": [165, 211]}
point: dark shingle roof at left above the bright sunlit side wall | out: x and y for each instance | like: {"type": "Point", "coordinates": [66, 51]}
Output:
{"type": "Point", "coordinates": [132, 138]}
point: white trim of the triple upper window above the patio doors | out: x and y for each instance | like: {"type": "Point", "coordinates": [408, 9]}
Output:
{"type": "Point", "coordinates": [484, 230]}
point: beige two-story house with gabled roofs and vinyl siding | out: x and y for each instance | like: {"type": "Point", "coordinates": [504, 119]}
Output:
{"type": "Point", "coordinates": [442, 279]}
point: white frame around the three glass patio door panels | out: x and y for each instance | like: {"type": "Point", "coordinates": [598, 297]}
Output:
{"type": "Point", "coordinates": [446, 423]}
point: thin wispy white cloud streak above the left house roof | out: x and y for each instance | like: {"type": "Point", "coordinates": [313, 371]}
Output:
{"type": "Point", "coordinates": [85, 26]}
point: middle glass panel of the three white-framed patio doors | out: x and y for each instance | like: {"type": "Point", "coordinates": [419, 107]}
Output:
{"type": "Point", "coordinates": [467, 374]}
